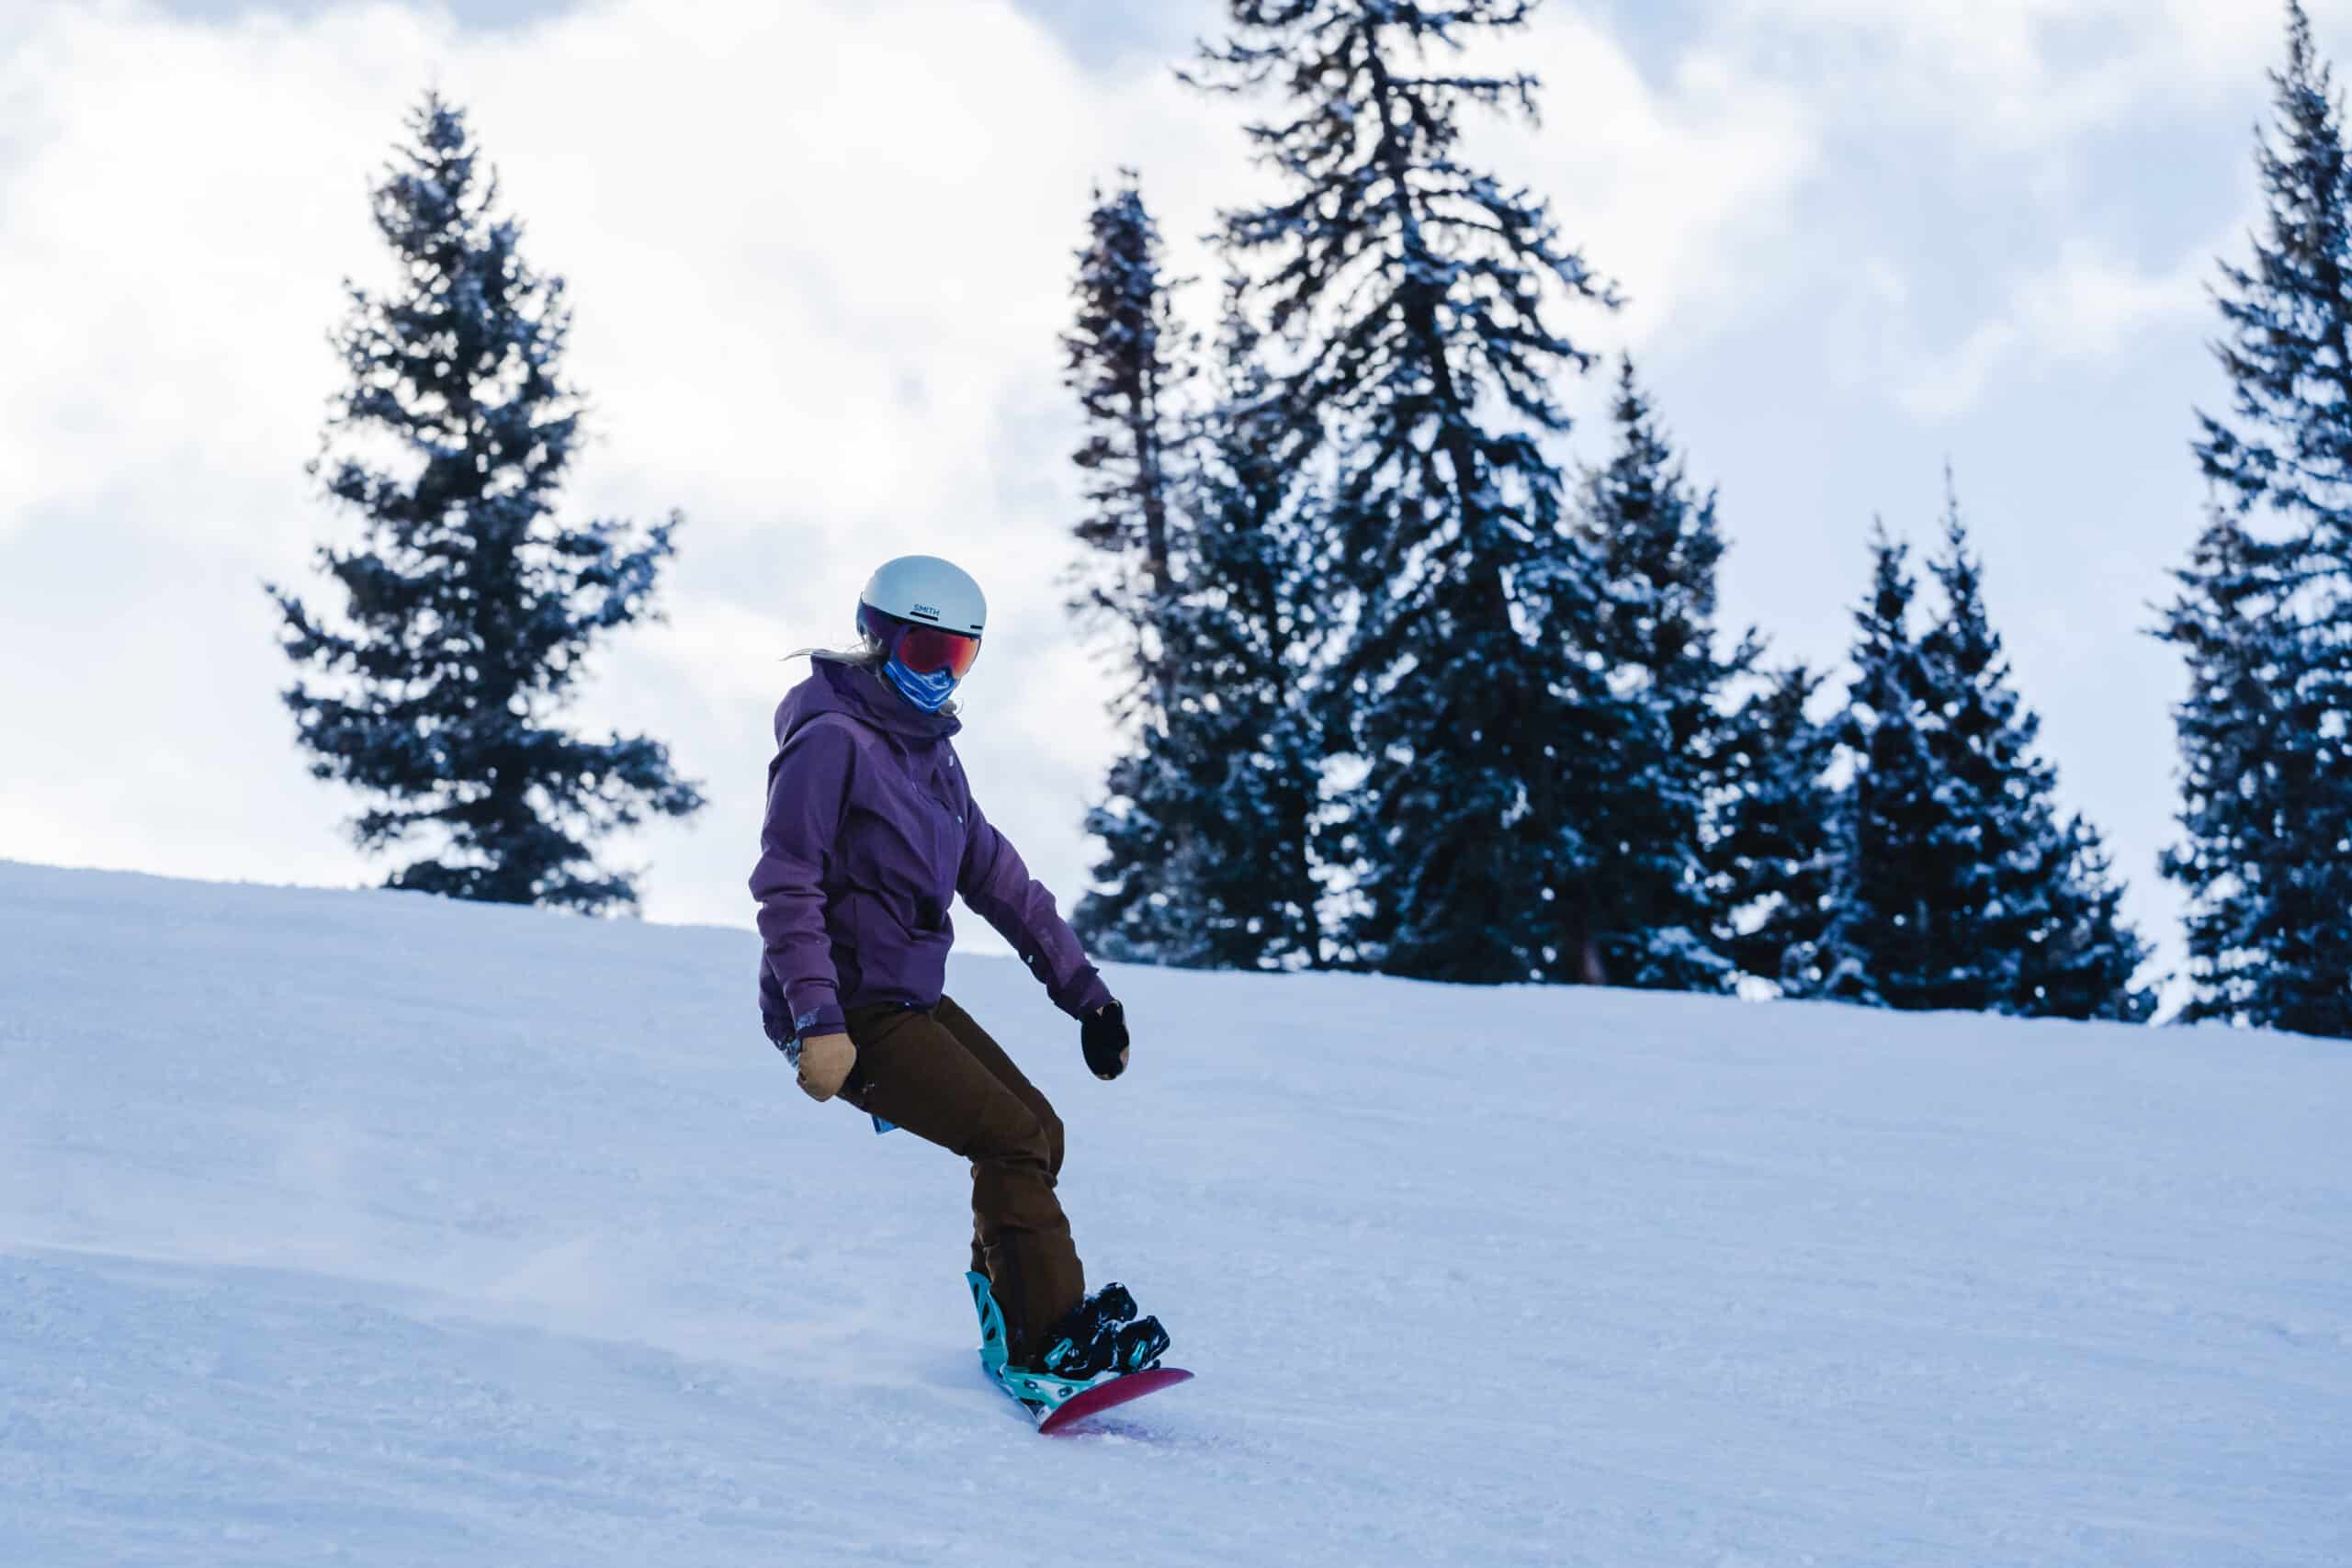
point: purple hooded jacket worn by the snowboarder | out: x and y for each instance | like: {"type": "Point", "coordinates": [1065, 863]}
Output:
{"type": "Point", "coordinates": [871, 831]}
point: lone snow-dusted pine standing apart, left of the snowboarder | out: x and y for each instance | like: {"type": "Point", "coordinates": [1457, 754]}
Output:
{"type": "Point", "coordinates": [469, 608]}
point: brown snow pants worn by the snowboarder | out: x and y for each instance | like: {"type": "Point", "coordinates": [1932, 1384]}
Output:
{"type": "Point", "coordinates": [944, 1080]}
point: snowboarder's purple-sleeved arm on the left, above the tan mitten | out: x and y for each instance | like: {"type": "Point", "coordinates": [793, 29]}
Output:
{"type": "Point", "coordinates": [808, 791]}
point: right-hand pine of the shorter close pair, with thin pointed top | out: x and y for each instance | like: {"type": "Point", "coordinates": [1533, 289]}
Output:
{"type": "Point", "coordinates": [2031, 909]}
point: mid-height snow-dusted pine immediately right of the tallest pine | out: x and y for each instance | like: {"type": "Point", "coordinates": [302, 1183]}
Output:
{"type": "Point", "coordinates": [1657, 549]}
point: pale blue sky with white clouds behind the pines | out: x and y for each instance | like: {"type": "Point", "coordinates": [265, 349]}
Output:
{"type": "Point", "coordinates": [820, 255]}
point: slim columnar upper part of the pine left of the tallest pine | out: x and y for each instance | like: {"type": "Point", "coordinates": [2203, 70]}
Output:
{"type": "Point", "coordinates": [1125, 368]}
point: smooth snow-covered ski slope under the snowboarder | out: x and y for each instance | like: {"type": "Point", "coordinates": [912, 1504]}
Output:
{"type": "Point", "coordinates": [377, 1231]}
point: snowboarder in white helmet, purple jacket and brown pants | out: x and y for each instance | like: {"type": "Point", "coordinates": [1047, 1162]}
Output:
{"type": "Point", "coordinates": [871, 831]}
